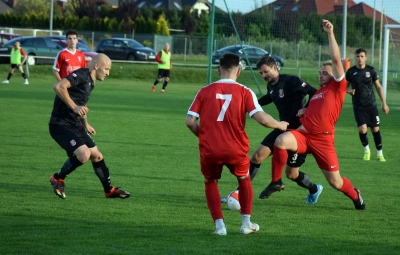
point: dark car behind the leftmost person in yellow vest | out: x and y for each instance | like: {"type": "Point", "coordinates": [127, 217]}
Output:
{"type": "Point", "coordinates": [34, 47]}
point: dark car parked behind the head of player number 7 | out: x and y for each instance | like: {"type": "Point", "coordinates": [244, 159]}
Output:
{"type": "Point", "coordinates": [253, 55]}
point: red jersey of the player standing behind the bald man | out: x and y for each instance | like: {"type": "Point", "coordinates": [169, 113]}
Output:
{"type": "Point", "coordinates": [66, 62]}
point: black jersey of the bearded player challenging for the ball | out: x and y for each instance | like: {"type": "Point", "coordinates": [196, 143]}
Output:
{"type": "Point", "coordinates": [288, 95]}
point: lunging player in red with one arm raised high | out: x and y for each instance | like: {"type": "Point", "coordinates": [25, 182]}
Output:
{"type": "Point", "coordinates": [315, 135]}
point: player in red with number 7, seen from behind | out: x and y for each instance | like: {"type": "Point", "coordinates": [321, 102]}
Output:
{"type": "Point", "coordinates": [222, 107]}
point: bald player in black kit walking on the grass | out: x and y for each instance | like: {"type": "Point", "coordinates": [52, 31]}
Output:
{"type": "Point", "coordinates": [69, 128]}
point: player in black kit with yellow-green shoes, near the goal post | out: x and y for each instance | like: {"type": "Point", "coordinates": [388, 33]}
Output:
{"type": "Point", "coordinates": [362, 77]}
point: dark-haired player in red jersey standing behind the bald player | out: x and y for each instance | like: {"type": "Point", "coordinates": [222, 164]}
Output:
{"type": "Point", "coordinates": [70, 58]}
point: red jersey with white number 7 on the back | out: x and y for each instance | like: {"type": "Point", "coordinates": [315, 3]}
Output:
{"type": "Point", "coordinates": [222, 108]}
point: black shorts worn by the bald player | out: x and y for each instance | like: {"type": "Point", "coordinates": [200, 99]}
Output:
{"type": "Point", "coordinates": [71, 138]}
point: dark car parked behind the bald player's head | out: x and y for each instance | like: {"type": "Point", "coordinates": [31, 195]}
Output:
{"type": "Point", "coordinates": [125, 49]}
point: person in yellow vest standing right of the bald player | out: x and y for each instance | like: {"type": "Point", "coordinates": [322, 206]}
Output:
{"type": "Point", "coordinates": [164, 66]}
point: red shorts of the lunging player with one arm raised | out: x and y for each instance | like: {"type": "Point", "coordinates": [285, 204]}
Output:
{"type": "Point", "coordinates": [321, 146]}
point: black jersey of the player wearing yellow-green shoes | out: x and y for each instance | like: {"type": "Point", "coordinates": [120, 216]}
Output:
{"type": "Point", "coordinates": [362, 80]}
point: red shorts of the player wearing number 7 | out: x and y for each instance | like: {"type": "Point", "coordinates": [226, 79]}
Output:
{"type": "Point", "coordinates": [213, 170]}
